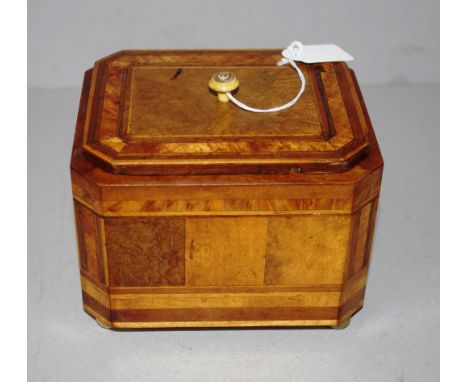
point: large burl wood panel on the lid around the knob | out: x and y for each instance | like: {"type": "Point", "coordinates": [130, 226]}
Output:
{"type": "Point", "coordinates": [152, 111]}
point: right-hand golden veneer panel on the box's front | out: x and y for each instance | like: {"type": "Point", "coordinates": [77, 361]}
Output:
{"type": "Point", "coordinates": [306, 250]}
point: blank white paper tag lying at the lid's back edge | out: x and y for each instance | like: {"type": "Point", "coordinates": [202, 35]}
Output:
{"type": "Point", "coordinates": [315, 53]}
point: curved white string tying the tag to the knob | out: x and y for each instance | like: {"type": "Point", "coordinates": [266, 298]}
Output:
{"type": "Point", "coordinates": [289, 54]}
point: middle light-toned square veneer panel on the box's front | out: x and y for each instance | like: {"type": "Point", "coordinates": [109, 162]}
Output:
{"type": "Point", "coordinates": [225, 251]}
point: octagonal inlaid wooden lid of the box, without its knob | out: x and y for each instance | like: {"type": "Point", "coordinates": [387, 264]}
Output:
{"type": "Point", "coordinates": [151, 112]}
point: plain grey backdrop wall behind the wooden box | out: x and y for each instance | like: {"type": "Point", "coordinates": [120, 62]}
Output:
{"type": "Point", "coordinates": [393, 41]}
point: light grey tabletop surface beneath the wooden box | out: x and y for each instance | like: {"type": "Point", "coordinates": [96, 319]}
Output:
{"type": "Point", "coordinates": [394, 338]}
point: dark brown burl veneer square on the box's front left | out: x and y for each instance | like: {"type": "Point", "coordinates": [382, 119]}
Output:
{"type": "Point", "coordinates": [145, 251]}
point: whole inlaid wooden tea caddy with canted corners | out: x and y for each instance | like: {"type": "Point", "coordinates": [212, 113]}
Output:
{"type": "Point", "coordinates": [195, 213]}
